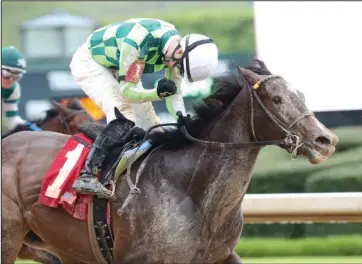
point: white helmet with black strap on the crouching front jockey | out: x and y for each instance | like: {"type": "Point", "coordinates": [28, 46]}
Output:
{"type": "Point", "coordinates": [199, 58]}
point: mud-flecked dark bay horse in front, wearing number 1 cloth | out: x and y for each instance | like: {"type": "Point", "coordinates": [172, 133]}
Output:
{"type": "Point", "coordinates": [189, 208]}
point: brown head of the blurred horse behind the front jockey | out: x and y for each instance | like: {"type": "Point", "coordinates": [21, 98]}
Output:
{"type": "Point", "coordinates": [72, 115]}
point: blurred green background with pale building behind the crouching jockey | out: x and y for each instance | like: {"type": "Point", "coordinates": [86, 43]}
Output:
{"type": "Point", "coordinates": [50, 32]}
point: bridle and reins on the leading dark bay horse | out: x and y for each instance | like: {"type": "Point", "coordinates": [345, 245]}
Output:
{"type": "Point", "coordinates": [291, 141]}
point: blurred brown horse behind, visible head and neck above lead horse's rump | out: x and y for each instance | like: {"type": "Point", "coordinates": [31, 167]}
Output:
{"type": "Point", "coordinates": [66, 119]}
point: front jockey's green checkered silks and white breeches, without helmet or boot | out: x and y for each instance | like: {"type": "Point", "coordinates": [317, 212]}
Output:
{"type": "Point", "coordinates": [115, 48]}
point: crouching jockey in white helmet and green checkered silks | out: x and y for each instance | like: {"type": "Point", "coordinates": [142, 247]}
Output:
{"type": "Point", "coordinates": [108, 68]}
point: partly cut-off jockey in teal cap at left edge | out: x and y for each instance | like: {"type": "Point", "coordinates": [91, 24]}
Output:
{"type": "Point", "coordinates": [12, 69]}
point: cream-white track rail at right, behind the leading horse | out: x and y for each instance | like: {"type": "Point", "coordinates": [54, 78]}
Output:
{"type": "Point", "coordinates": [302, 207]}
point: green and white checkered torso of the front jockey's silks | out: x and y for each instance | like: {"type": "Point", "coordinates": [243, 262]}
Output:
{"type": "Point", "coordinates": [117, 45]}
